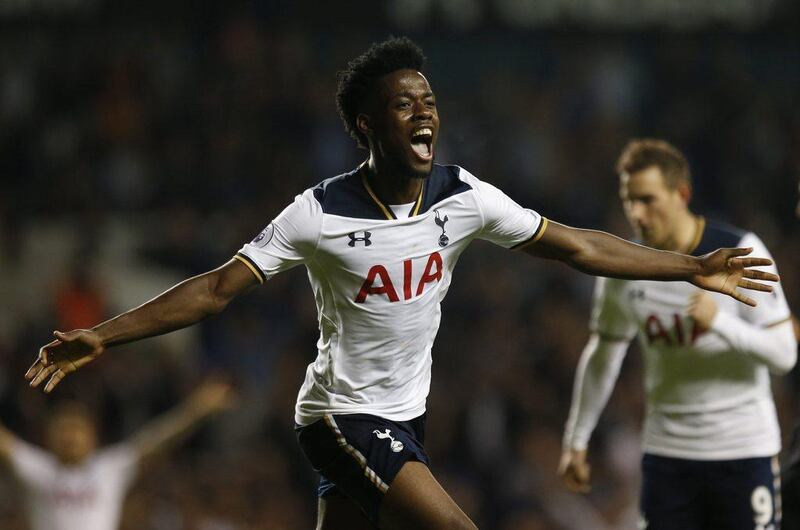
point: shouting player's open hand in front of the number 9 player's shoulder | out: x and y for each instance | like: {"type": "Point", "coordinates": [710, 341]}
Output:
{"type": "Point", "coordinates": [725, 271]}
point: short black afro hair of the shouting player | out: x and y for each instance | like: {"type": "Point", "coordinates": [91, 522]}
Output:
{"type": "Point", "coordinates": [358, 79]}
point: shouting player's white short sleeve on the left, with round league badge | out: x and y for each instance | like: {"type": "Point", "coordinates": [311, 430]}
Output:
{"type": "Point", "coordinates": [289, 240]}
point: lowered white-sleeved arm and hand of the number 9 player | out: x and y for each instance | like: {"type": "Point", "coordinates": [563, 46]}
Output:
{"type": "Point", "coordinates": [595, 377]}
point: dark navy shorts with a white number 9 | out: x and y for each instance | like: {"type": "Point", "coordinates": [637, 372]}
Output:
{"type": "Point", "coordinates": [679, 494]}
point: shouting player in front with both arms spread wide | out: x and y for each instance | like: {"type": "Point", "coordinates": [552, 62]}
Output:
{"type": "Point", "coordinates": [380, 244]}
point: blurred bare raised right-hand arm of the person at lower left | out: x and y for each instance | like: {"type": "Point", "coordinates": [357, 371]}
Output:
{"type": "Point", "coordinates": [166, 431]}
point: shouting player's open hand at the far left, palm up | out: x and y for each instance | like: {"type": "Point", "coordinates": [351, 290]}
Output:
{"type": "Point", "coordinates": [64, 355]}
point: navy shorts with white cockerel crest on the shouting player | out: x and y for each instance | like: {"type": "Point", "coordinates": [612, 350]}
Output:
{"type": "Point", "coordinates": [359, 455]}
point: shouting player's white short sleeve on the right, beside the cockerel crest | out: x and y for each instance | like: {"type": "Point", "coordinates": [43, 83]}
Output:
{"type": "Point", "coordinates": [505, 222]}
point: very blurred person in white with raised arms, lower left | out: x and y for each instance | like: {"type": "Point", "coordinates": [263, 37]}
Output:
{"type": "Point", "coordinates": [72, 485]}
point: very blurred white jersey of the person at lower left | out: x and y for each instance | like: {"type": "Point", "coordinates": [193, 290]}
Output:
{"type": "Point", "coordinates": [81, 497]}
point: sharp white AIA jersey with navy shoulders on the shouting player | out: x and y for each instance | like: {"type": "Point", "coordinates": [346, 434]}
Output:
{"type": "Point", "coordinates": [379, 280]}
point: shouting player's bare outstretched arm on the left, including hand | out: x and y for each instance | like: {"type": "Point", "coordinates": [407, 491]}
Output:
{"type": "Point", "coordinates": [184, 304]}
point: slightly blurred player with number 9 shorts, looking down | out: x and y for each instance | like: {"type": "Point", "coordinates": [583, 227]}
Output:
{"type": "Point", "coordinates": [711, 432]}
